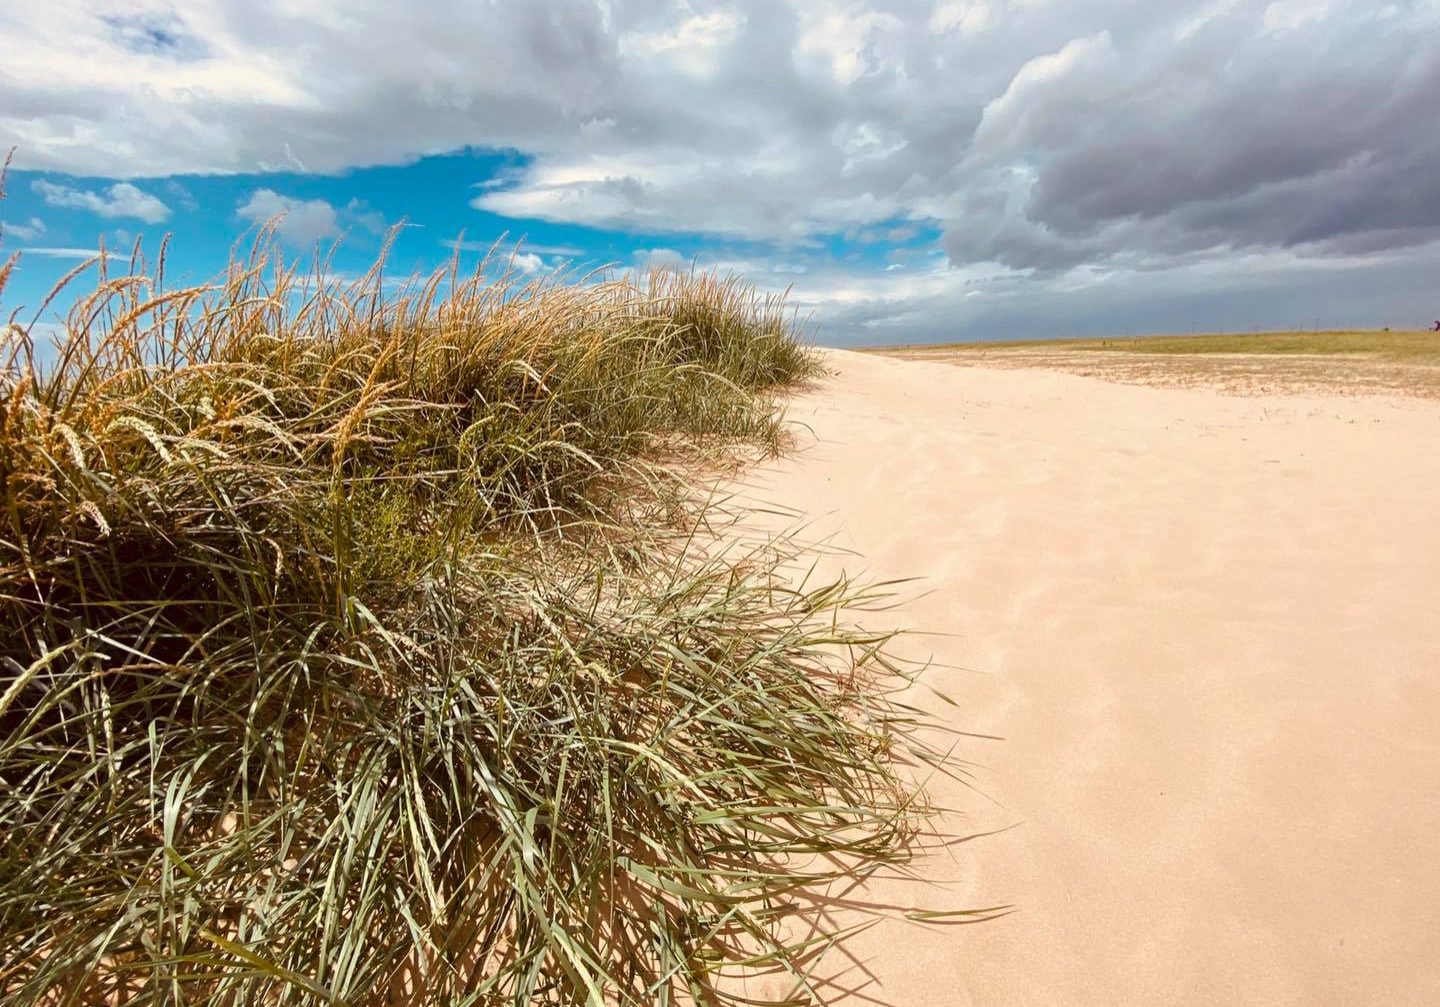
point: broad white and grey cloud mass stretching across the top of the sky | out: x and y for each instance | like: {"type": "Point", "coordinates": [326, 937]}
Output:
{"type": "Point", "coordinates": [1040, 139]}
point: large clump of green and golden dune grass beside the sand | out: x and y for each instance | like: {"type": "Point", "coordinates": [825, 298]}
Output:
{"type": "Point", "coordinates": [354, 649]}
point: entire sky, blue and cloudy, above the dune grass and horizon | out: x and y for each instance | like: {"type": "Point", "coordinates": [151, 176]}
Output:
{"type": "Point", "coordinates": [912, 171]}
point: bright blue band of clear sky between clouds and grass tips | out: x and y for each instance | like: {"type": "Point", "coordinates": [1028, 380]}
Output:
{"type": "Point", "coordinates": [431, 207]}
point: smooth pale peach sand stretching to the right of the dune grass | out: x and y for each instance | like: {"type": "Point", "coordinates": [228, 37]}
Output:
{"type": "Point", "coordinates": [1209, 632]}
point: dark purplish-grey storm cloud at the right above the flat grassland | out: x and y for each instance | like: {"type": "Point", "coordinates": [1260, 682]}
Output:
{"type": "Point", "coordinates": [1238, 139]}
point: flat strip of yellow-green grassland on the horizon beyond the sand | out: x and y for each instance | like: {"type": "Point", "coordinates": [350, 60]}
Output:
{"type": "Point", "coordinates": [1347, 362]}
